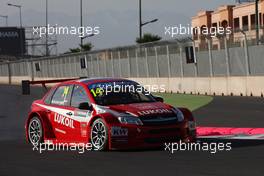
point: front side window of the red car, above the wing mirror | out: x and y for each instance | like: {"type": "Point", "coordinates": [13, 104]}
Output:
{"type": "Point", "coordinates": [79, 96]}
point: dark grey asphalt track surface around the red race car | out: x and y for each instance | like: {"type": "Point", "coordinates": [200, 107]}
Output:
{"type": "Point", "coordinates": [245, 158]}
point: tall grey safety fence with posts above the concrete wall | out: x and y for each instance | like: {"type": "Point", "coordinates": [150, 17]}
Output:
{"type": "Point", "coordinates": [161, 60]}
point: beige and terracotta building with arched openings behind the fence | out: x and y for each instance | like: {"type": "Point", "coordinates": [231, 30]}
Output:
{"type": "Point", "coordinates": [238, 17]}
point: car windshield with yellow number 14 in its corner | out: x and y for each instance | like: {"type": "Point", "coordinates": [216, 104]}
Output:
{"type": "Point", "coordinates": [114, 93]}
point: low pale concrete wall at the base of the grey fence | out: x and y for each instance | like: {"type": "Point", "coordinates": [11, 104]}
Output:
{"type": "Point", "coordinates": [237, 86]}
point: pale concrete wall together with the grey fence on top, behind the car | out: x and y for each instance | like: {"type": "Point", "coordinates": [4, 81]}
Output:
{"type": "Point", "coordinates": [223, 72]}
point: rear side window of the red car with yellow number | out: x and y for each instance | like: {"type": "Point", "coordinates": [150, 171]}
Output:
{"type": "Point", "coordinates": [62, 96]}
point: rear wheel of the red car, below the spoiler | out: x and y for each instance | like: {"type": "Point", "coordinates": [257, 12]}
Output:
{"type": "Point", "coordinates": [35, 131]}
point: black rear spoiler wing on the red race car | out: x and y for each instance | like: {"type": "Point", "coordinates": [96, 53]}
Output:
{"type": "Point", "coordinates": [26, 84]}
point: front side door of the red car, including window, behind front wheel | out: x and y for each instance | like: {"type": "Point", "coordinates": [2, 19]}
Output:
{"type": "Point", "coordinates": [83, 116]}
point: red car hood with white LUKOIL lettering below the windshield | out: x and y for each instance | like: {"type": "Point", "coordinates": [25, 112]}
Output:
{"type": "Point", "coordinates": [143, 109]}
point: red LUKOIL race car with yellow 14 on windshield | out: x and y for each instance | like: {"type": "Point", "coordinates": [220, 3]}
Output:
{"type": "Point", "coordinates": [107, 113]}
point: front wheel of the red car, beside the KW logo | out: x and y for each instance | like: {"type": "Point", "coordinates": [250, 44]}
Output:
{"type": "Point", "coordinates": [99, 135]}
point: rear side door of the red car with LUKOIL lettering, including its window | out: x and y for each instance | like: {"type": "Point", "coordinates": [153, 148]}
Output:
{"type": "Point", "coordinates": [61, 113]}
